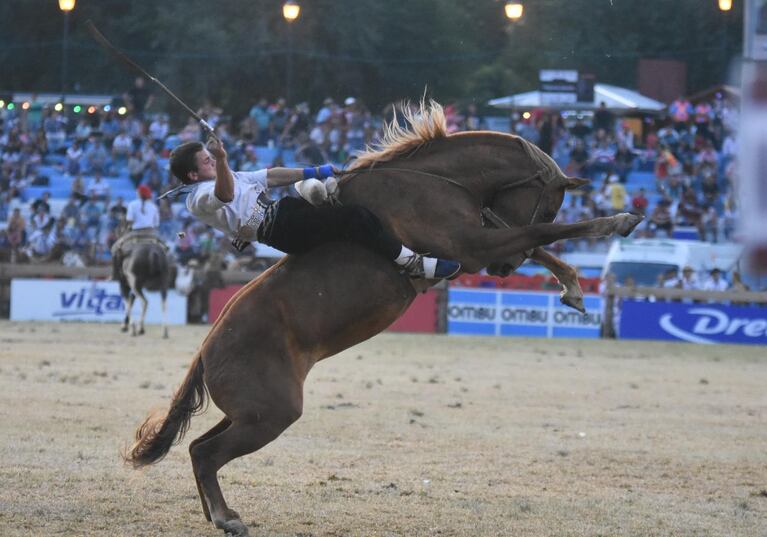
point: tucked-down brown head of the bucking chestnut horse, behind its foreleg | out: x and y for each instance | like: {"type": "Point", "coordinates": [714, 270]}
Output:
{"type": "Point", "coordinates": [535, 202]}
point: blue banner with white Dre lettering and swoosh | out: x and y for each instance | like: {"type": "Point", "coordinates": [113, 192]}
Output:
{"type": "Point", "coordinates": [696, 323]}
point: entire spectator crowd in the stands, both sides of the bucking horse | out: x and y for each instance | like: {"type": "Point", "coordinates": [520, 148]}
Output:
{"type": "Point", "coordinates": [66, 178]}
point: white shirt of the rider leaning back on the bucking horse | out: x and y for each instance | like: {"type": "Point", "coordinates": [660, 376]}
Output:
{"type": "Point", "coordinates": [240, 217]}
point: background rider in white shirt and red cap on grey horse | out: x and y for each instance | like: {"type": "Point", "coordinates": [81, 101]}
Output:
{"type": "Point", "coordinates": [143, 219]}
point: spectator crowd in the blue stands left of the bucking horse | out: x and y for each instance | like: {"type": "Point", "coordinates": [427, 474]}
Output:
{"type": "Point", "coordinates": [65, 179]}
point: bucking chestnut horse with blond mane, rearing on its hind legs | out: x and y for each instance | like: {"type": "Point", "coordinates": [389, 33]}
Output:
{"type": "Point", "coordinates": [429, 189]}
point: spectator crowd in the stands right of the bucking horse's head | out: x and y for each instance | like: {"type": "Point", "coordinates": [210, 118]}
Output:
{"type": "Point", "coordinates": [681, 176]}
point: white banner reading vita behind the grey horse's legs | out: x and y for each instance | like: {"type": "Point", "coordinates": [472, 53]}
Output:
{"type": "Point", "coordinates": [85, 300]}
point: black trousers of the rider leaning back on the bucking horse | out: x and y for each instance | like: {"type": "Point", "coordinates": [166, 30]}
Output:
{"type": "Point", "coordinates": [299, 226]}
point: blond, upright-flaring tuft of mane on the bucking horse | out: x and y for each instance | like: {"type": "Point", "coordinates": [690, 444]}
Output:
{"type": "Point", "coordinates": [424, 124]}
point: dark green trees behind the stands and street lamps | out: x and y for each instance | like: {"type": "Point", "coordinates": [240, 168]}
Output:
{"type": "Point", "coordinates": [234, 51]}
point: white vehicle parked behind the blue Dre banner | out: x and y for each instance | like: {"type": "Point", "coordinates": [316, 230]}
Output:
{"type": "Point", "coordinates": [645, 260]}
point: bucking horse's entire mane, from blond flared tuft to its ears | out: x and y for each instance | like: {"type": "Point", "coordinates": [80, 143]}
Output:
{"type": "Point", "coordinates": [426, 123]}
